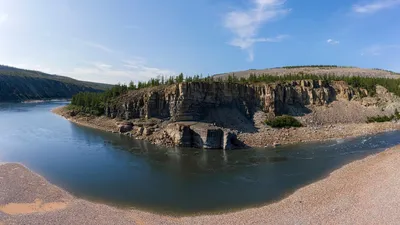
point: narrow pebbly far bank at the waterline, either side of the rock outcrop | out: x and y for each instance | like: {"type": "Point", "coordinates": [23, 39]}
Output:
{"type": "Point", "coordinates": [264, 137]}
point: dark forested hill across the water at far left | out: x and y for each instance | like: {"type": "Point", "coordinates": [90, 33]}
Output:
{"type": "Point", "coordinates": [21, 85]}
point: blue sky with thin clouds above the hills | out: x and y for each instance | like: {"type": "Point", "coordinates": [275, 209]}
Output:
{"type": "Point", "coordinates": [114, 41]}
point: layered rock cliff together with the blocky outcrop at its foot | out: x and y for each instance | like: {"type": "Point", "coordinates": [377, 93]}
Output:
{"type": "Point", "coordinates": [210, 115]}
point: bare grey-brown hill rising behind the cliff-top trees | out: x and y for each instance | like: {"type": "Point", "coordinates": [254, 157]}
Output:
{"type": "Point", "coordinates": [315, 70]}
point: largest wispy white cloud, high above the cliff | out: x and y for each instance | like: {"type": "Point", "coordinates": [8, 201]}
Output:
{"type": "Point", "coordinates": [245, 24]}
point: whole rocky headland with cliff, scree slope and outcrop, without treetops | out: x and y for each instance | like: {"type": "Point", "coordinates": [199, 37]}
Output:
{"type": "Point", "coordinates": [223, 115]}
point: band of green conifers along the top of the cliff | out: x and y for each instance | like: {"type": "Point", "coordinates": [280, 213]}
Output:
{"type": "Point", "coordinates": [94, 103]}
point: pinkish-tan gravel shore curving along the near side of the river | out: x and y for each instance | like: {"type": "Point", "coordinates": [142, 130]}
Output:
{"type": "Point", "coordinates": [363, 192]}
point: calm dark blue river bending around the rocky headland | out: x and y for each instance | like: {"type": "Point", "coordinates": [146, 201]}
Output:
{"type": "Point", "coordinates": [117, 170]}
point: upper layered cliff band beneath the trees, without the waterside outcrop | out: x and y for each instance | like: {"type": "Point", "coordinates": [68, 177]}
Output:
{"type": "Point", "coordinates": [192, 101]}
